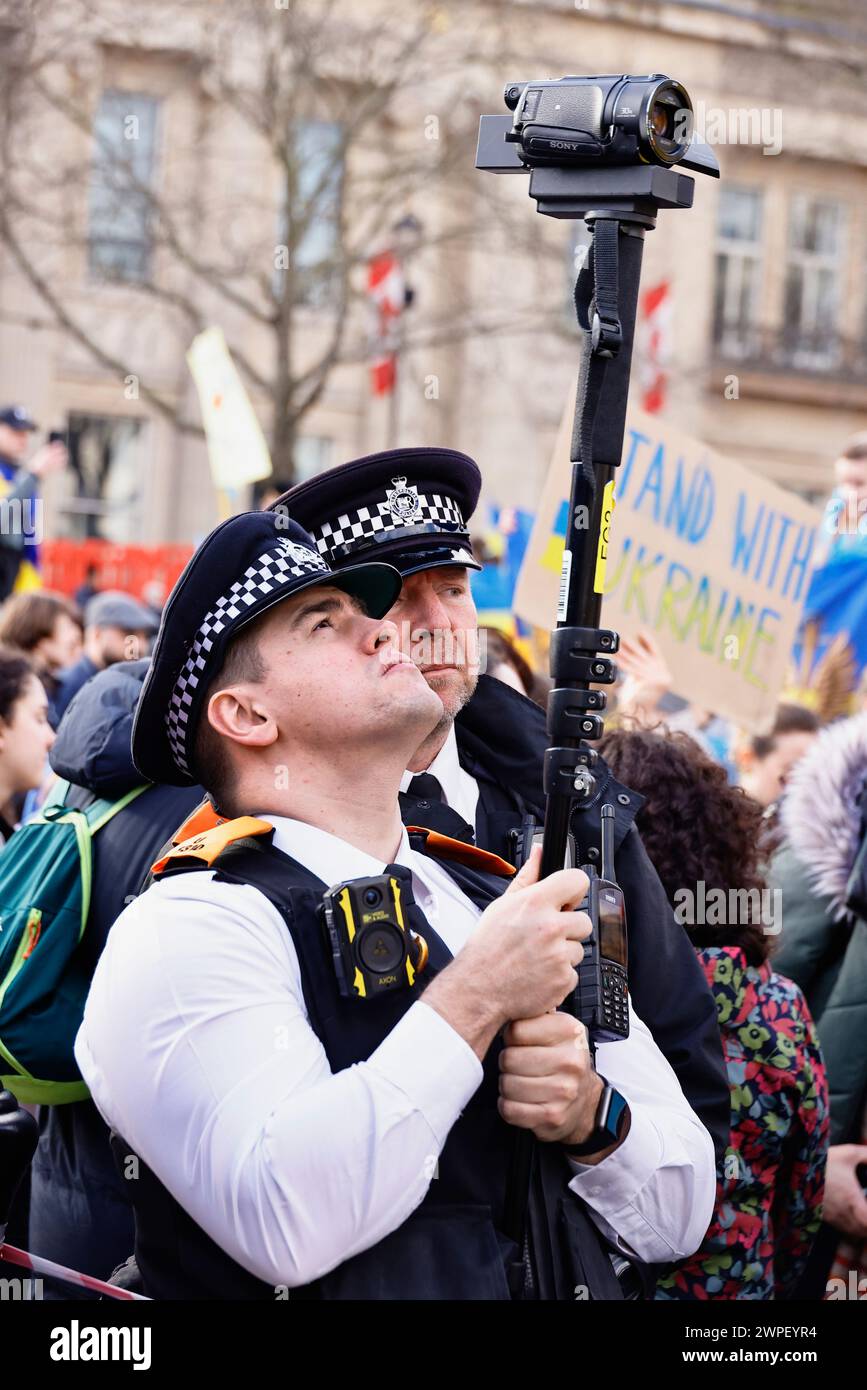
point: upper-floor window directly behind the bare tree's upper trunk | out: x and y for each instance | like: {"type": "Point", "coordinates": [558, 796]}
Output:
{"type": "Point", "coordinates": [311, 216]}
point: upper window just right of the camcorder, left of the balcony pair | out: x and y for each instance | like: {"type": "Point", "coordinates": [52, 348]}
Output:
{"type": "Point", "coordinates": [738, 270]}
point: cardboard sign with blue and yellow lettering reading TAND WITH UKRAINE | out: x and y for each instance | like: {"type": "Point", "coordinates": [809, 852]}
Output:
{"type": "Point", "coordinates": [713, 559]}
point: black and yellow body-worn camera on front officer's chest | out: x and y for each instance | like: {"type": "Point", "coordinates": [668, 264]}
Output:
{"type": "Point", "coordinates": [372, 945]}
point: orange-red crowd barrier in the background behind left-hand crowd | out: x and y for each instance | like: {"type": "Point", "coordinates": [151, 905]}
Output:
{"type": "Point", "coordinates": [148, 572]}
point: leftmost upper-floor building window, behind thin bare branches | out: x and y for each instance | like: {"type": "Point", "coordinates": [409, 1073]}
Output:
{"type": "Point", "coordinates": [124, 134]}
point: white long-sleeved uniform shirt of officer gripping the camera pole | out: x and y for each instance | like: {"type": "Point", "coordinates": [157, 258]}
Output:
{"type": "Point", "coordinates": [198, 1052]}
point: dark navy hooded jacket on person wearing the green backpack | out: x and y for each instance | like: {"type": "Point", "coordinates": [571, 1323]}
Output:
{"type": "Point", "coordinates": [81, 1213]}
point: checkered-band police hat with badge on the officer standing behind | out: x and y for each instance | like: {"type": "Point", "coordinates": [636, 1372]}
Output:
{"type": "Point", "coordinates": [408, 507]}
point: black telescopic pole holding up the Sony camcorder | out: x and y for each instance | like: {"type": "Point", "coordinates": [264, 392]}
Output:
{"type": "Point", "coordinates": [619, 206]}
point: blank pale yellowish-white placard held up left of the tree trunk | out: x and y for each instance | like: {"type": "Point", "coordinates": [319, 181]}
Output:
{"type": "Point", "coordinates": [238, 452]}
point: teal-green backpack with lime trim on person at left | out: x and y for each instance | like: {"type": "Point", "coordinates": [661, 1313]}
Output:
{"type": "Point", "coordinates": [45, 901]}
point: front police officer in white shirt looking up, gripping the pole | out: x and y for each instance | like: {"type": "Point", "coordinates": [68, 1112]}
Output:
{"type": "Point", "coordinates": [295, 1132]}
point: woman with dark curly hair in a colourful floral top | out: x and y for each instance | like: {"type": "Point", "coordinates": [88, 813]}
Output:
{"type": "Point", "coordinates": [704, 837]}
